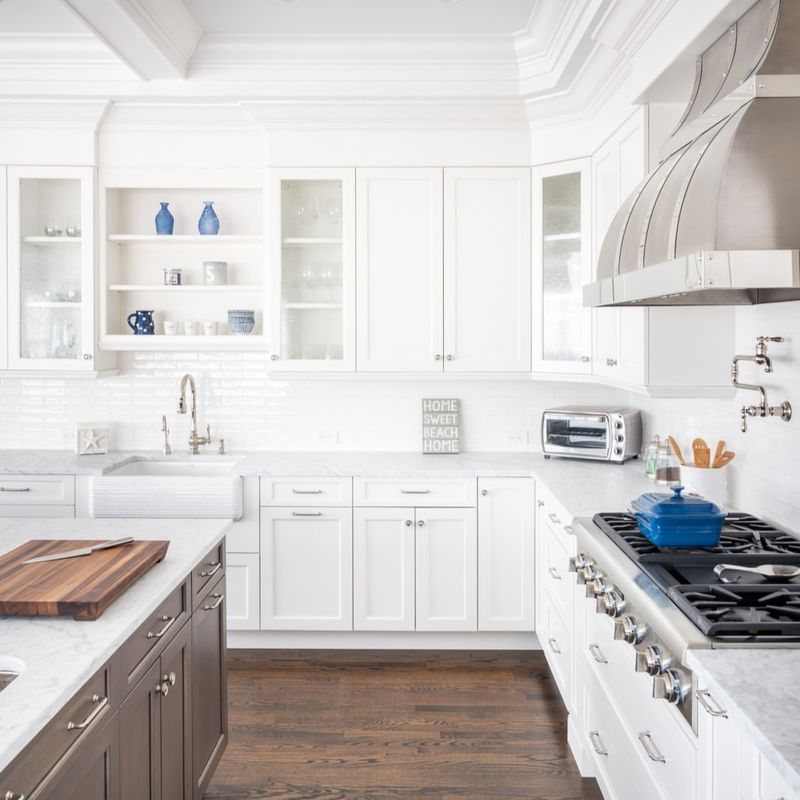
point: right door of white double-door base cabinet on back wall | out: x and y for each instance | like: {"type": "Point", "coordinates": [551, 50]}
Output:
{"type": "Point", "coordinates": [446, 569]}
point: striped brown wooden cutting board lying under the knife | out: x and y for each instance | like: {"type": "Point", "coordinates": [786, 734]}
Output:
{"type": "Point", "coordinates": [82, 587]}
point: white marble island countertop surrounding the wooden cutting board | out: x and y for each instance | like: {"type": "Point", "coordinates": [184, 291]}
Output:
{"type": "Point", "coordinates": [61, 654]}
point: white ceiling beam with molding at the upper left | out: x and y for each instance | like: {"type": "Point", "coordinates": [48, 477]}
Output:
{"type": "Point", "coordinates": [155, 38]}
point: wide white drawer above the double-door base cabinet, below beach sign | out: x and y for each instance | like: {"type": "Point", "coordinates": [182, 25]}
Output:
{"type": "Point", "coordinates": [416, 492]}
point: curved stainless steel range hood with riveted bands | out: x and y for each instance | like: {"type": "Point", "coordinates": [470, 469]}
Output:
{"type": "Point", "coordinates": [718, 222]}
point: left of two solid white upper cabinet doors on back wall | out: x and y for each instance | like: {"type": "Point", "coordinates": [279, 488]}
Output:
{"type": "Point", "coordinates": [399, 270]}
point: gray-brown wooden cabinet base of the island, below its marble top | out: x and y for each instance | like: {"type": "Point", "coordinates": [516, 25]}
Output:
{"type": "Point", "coordinates": [151, 724]}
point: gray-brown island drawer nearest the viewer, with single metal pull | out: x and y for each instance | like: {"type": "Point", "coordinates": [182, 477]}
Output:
{"type": "Point", "coordinates": [87, 711]}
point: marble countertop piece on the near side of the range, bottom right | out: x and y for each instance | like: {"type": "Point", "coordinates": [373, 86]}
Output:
{"type": "Point", "coordinates": [756, 688]}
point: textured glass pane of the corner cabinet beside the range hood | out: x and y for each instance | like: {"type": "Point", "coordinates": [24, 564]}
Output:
{"type": "Point", "coordinates": [562, 263]}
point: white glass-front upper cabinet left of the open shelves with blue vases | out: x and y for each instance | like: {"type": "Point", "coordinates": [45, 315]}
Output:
{"type": "Point", "coordinates": [51, 268]}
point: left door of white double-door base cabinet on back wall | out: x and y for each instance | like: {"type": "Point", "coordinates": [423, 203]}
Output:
{"type": "Point", "coordinates": [383, 569]}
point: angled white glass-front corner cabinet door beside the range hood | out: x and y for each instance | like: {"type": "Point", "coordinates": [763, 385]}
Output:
{"type": "Point", "coordinates": [562, 327]}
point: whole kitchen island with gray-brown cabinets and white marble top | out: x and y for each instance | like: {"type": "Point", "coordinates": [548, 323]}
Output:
{"type": "Point", "coordinates": [120, 662]}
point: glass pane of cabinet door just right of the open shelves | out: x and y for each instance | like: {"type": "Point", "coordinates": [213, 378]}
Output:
{"type": "Point", "coordinates": [312, 315]}
